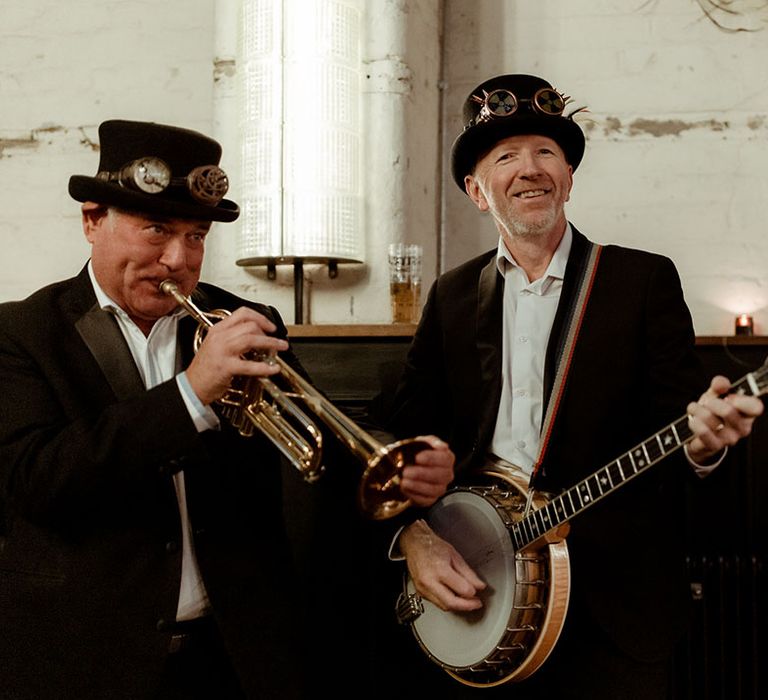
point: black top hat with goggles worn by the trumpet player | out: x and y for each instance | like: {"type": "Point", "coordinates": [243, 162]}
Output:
{"type": "Point", "coordinates": [157, 169]}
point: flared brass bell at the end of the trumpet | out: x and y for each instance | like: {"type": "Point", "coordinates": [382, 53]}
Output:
{"type": "Point", "coordinates": [379, 494]}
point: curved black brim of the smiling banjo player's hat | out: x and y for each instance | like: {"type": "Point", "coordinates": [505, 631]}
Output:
{"type": "Point", "coordinates": [476, 141]}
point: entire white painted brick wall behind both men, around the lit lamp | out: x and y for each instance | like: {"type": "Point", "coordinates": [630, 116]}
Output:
{"type": "Point", "coordinates": [677, 140]}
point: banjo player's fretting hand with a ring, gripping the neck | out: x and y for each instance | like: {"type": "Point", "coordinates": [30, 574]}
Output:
{"type": "Point", "coordinates": [719, 420]}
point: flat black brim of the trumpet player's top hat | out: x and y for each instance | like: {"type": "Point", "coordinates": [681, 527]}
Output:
{"type": "Point", "coordinates": [91, 189]}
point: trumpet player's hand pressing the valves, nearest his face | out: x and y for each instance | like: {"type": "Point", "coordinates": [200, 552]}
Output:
{"type": "Point", "coordinates": [221, 355]}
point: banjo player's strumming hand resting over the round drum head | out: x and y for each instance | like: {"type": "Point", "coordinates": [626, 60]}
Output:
{"type": "Point", "coordinates": [438, 571]}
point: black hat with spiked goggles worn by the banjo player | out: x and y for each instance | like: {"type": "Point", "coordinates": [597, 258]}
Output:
{"type": "Point", "coordinates": [508, 105]}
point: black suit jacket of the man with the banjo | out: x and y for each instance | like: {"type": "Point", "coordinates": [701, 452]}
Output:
{"type": "Point", "coordinates": [633, 371]}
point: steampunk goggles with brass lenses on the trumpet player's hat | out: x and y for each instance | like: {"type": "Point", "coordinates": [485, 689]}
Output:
{"type": "Point", "coordinates": [206, 184]}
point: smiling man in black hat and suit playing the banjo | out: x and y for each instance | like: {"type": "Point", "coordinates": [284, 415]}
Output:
{"type": "Point", "coordinates": [546, 358]}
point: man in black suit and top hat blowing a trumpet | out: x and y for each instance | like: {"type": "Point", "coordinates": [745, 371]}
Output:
{"type": "Point", "coordinates": [145, 554]}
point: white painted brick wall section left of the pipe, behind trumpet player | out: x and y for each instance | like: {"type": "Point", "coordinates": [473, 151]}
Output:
{"type": "Point", "coordinates": [64, 68]}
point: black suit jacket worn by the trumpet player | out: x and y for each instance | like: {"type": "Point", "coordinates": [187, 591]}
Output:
{"type": "Point", "coordinates": [91, 559]}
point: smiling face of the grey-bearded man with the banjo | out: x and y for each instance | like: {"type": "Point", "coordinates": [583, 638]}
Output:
{"type": "Point", "coordinates": [524, 182]}
